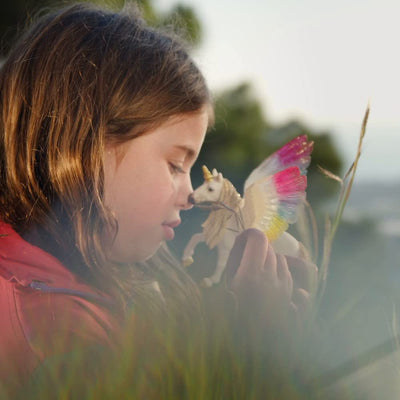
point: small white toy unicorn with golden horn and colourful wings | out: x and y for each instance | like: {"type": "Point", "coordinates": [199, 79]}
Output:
{"type": "Point", "coordinates": [273, 194]}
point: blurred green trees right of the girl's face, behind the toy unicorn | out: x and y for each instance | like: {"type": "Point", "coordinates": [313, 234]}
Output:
{"type": "Point", "coordinates": [242, 137]}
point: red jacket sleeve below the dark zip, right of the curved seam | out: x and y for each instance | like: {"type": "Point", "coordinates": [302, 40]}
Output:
{"type": "Point", "coordinates": [56, 323]}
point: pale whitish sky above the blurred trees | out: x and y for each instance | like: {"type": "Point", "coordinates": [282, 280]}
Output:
{"type": "Point", "coordinates": [318, 61]}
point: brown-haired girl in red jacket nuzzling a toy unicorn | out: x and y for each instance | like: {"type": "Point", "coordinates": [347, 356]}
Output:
{"type": "Point", "coordinates": [101, 121]}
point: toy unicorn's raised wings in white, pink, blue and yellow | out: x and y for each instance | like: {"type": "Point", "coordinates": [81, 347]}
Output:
{"type": "Point", "coordinates": [276, 189]}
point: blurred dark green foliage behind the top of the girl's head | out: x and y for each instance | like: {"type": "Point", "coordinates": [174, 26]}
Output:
{"type": "Point", "coordinates": [15, 15]}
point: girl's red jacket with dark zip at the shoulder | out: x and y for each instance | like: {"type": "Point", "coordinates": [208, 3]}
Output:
{"type": "Point", "coordinates": [44, 309]}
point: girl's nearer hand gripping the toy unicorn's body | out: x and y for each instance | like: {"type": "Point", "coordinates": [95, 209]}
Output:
{"type": "Point", "coordinates": [261, 281]}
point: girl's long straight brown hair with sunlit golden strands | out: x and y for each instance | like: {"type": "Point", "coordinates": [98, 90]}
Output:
{"type": "Point", "coordinates": [80, 77]}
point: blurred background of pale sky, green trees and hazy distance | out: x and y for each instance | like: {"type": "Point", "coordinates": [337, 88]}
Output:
{"type": "Point", "coordinates": [280, 68]}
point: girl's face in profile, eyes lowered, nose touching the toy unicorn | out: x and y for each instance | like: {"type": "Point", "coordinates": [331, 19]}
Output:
{"type": "Point", "coordinates": [147, 184]}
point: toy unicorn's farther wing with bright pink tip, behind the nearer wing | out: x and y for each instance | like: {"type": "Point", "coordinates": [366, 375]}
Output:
{"type": "Point", "coordinates": [295, 153]}
